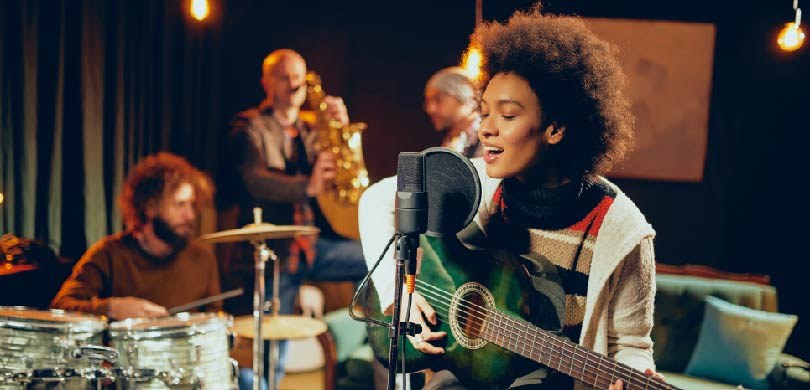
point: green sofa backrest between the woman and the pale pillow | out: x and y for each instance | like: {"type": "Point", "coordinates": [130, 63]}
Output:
{"type": "Point", "coordinates": [679, 310]}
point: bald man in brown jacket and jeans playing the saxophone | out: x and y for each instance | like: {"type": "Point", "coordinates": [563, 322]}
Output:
{"type": "Point", "coordinates": [280, 171]}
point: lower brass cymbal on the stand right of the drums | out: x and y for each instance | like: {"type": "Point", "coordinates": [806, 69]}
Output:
{"type": "Point", "coordinates": [280, 327]}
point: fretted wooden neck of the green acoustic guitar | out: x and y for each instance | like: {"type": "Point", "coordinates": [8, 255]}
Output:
{"type": "Point", "coordinates": [560, 354]}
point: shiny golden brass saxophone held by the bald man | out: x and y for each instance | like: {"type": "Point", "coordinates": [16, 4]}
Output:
{"type": "Point", "coordinates": [338, 203]}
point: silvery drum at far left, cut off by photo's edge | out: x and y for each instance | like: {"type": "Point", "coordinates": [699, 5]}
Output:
{"type": "Point", "coordinates": [37, 346]}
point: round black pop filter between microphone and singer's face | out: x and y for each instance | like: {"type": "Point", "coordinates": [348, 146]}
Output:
{"type": "Point", "coordinates": [453, 189]}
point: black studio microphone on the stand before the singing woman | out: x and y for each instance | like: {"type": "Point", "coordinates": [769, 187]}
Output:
{"type": "Point", "coordinates": [411, 210]}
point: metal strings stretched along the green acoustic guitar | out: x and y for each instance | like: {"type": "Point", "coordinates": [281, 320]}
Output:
{"type": "Point", "coordinates": [631, 375]}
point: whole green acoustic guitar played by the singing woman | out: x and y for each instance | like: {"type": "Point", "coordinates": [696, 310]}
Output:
{"type": "Point", "coordinates": [496, 323]}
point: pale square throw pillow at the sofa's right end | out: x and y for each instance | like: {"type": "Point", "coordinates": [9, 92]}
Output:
{"type": "Point", "coordinates": [738, 344]}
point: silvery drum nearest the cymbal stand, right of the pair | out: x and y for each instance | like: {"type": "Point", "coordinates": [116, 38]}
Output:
{"type": "Point", "coordinates": [188, 350]}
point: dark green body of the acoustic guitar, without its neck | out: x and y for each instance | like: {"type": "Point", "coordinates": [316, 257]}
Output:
{"type": "Point", "coordinates": [464, 285]}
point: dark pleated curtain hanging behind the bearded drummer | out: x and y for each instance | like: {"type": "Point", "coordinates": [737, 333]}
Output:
{"type": "Point", "coordinates": [88, 88]}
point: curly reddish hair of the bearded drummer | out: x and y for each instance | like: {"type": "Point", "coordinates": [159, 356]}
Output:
{"type": "Point", "coordinates": [155, 176]}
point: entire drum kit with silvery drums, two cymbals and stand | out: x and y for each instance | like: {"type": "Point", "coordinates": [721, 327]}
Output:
{"type": "Point", "coordinates": [56, 349]}
